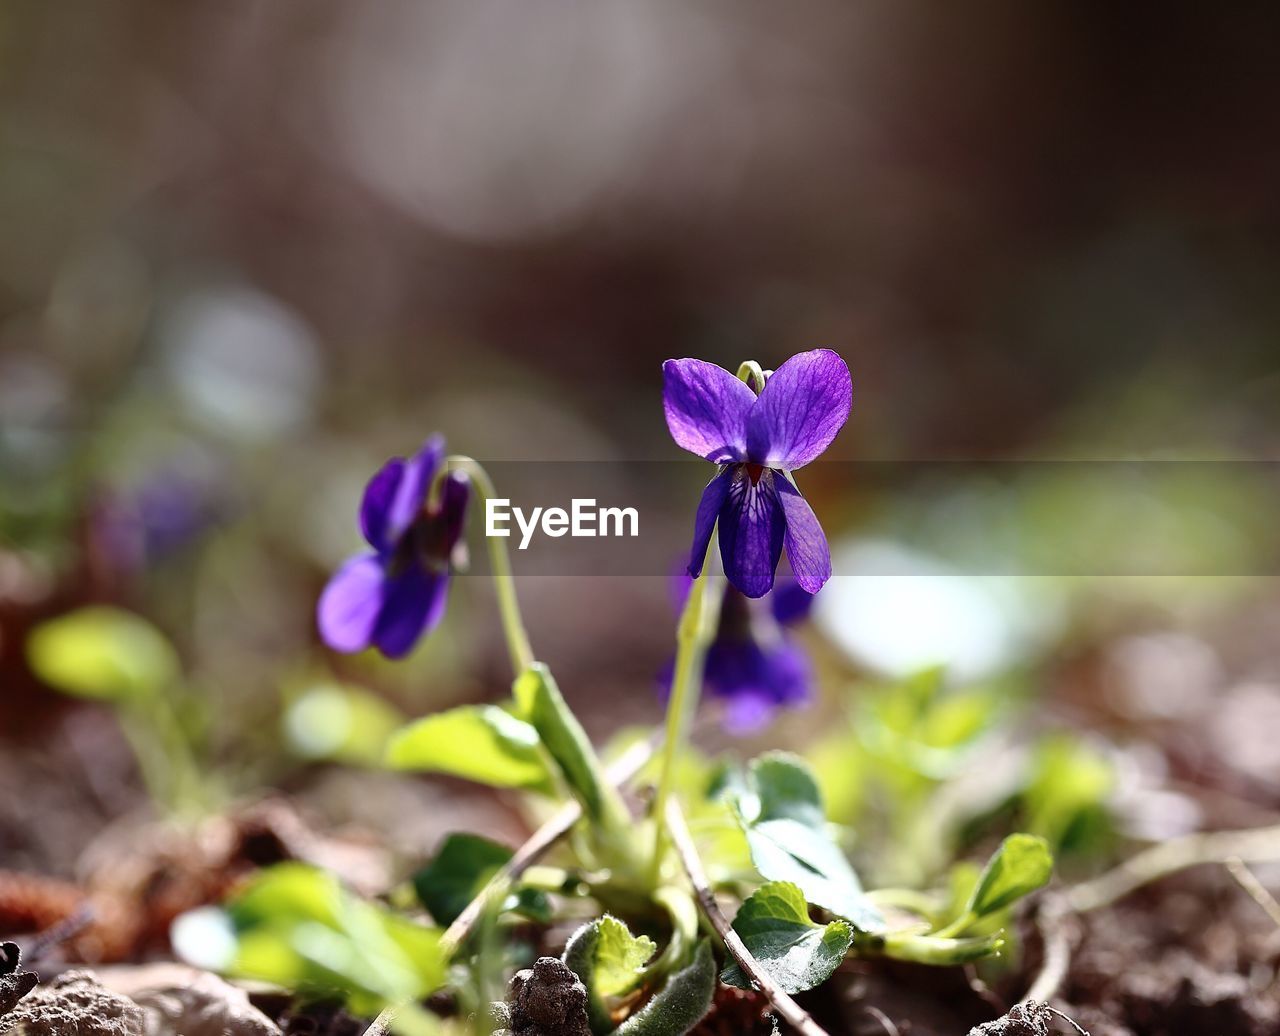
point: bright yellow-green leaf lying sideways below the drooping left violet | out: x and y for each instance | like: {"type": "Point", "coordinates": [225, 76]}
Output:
{"type": "Point", "coordinates": [481, 743]}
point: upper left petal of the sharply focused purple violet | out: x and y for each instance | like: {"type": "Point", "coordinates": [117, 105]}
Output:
{"type": "Point", "coordinates": [707, 409]}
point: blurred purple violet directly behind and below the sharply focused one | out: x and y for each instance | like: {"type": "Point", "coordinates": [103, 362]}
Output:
{"type": "Point", "coordinates": [752, 665]}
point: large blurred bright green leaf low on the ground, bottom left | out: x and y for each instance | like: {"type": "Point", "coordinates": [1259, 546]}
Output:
{"type": "Point", "coordinates": [299, 928]}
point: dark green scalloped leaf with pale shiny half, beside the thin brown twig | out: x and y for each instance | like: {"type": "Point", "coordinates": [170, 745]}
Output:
{"type": "Point", "coordinates": [775, 925]}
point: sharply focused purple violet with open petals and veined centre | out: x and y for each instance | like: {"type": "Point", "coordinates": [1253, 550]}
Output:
{"type": "Point", "coordinates": [758, 441]}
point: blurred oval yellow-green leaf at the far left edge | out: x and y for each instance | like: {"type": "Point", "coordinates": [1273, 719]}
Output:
{"type": "Point", "coordinates": [104, 654]}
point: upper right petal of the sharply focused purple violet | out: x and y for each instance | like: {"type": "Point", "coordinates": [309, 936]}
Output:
{"type": "Point", "coordinates": [803, 407]}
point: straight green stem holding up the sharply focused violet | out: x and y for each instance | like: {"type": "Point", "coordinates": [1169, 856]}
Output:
{"type": "Point", "coordinates": [697, 627]}
